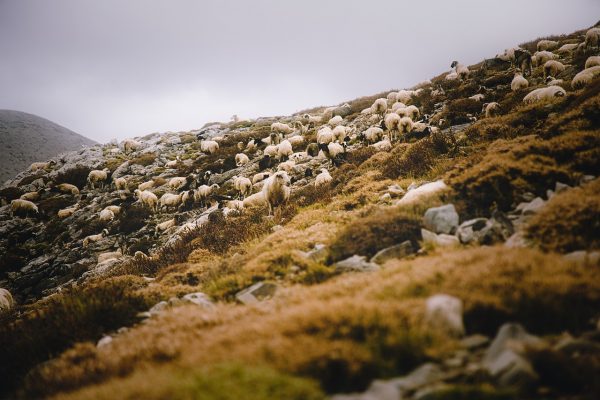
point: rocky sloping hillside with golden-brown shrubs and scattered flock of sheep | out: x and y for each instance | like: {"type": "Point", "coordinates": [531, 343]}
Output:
{"type": "Point", "coordinates": [460, 260]}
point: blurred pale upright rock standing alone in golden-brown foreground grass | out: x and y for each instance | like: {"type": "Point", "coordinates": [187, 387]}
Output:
{"type": "Point", "coordinates": [444, 313]}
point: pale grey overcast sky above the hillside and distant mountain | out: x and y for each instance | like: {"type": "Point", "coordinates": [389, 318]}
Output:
{"type": "Point", "coordinates": [117, 68]}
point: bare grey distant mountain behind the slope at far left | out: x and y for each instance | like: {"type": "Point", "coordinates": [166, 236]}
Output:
{"type": "Point", "coordinates": [26, 138]}
